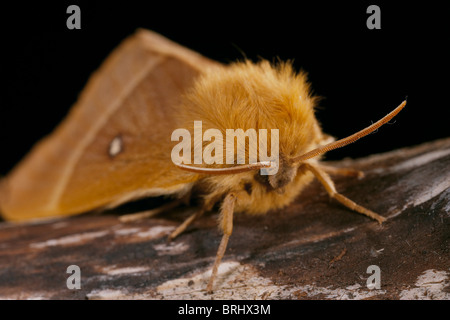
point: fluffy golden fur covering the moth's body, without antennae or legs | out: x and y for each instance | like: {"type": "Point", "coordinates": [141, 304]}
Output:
{"type": "Point", "coordinates": [260, 96]}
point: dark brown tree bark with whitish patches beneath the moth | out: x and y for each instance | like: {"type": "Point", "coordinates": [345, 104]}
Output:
{"type": "Point", "coordinates": [313, 249]}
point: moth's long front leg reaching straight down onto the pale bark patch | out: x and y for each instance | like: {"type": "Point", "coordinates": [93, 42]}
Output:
{"type": "Point", "coordinates": [226, 224]}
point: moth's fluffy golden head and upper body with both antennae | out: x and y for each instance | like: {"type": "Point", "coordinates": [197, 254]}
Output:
{"type": "Point", "coordinates": [247, 96]}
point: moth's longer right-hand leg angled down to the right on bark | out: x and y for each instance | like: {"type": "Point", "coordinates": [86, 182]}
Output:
{"type": "Point", "coordinates": [326, 181]}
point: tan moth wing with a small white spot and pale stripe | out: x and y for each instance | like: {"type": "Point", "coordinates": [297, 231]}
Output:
{"type": "Point", "coordinates": [130, 100]}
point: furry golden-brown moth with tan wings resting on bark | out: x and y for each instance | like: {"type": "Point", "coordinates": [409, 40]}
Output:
{"type": "Point", "coordinates": [115, 144]}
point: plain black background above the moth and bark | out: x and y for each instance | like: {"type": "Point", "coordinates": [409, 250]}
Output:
{"type": "Point", "coordinates": [362, 74]}
